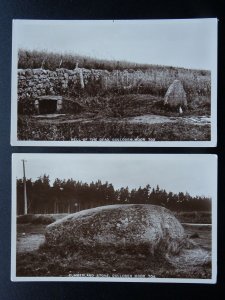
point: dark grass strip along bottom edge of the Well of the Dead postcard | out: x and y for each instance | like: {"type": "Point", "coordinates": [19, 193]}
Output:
{"type": "Point", "coordinates": [30, 129]}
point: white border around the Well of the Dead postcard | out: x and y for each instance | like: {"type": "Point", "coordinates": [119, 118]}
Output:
{"type": "Point", "coordinates": [14, 116]}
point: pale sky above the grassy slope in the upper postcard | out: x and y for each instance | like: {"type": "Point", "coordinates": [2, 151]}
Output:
{"type": "Point", "coordinates": [181, 43]}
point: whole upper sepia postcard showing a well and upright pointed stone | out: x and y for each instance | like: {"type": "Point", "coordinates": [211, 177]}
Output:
{"type": "Point", "coordinates": [144, 83]}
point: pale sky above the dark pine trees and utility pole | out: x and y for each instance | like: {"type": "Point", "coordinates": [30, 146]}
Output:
{"type": "Point", "coordinates": [195, 174]}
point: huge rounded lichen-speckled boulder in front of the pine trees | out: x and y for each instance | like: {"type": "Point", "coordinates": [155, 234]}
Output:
{"type": "Point", "coordinates": [134, 226]}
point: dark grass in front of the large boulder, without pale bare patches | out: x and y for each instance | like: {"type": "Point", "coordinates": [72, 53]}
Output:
{"type": "Point", "coordinates": [57, 261]}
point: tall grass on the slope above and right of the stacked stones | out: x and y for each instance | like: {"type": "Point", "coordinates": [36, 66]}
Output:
{"type": "Point", "coordinates": [122, 78]}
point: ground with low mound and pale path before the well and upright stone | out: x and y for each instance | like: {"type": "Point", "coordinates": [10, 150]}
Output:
{"type": "Point", "coordinates": [131, 117]}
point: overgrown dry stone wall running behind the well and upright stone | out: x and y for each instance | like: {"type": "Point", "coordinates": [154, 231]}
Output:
{"type": "Point", "coordinates": [39, 82]}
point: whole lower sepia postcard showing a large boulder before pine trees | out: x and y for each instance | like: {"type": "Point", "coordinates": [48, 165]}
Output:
{"type": "Point", "coordinates": [114, 217]}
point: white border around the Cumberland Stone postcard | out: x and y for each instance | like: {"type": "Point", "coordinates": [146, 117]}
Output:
{"type": "Point", "coordinates": [213, 280]}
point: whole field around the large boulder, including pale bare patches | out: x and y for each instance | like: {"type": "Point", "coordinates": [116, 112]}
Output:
{"type": "Point", "coordinates": [34, 258]}
